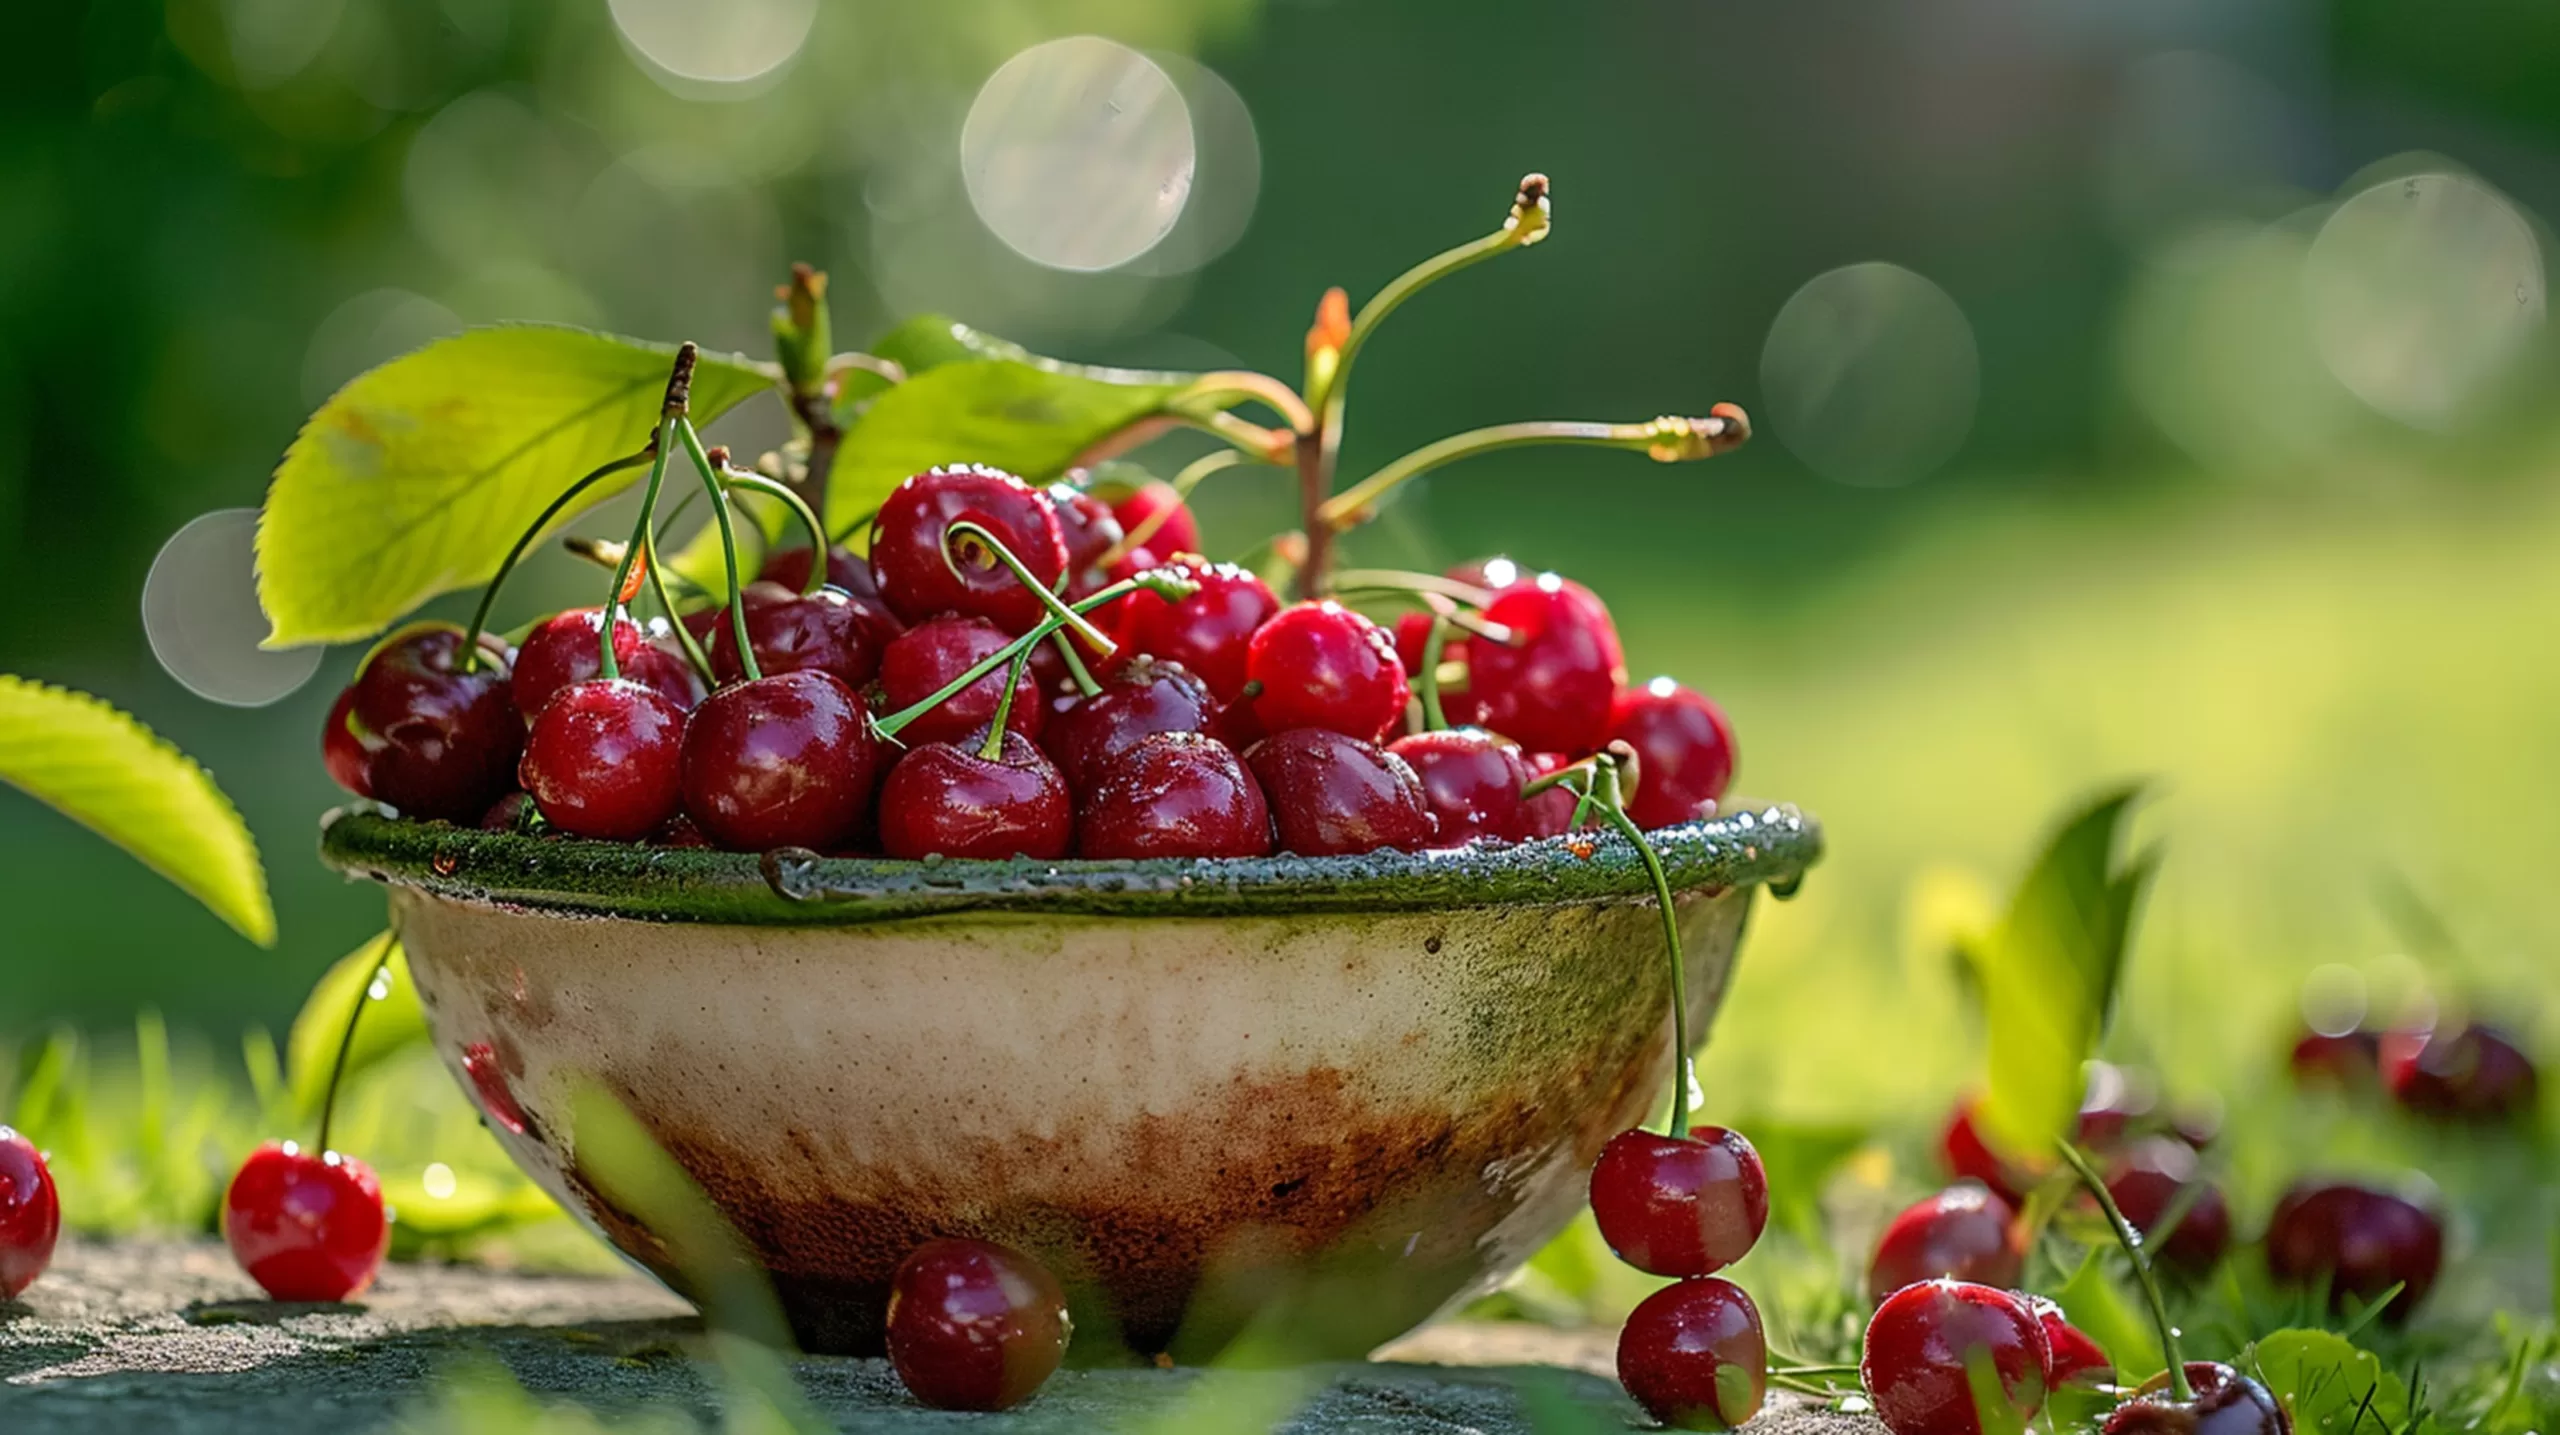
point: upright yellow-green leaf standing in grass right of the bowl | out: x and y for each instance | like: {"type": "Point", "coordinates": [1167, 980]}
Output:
{"type": "Point", "coordinates": [2049, 973]}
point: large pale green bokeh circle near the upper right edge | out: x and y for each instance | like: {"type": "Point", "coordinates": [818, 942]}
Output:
{"type": "Point", "coordinates": [2423, 295]}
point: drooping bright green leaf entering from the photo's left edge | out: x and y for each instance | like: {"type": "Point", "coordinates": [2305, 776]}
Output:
{"type": "Point", "coordinates": [122, 781]}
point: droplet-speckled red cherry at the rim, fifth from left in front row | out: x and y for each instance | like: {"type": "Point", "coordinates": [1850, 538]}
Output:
{"type": "Point", "coordinates": [1176, 794]}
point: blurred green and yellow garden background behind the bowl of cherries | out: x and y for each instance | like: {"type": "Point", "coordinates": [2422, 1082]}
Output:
{"type": "Point", "coordinates": [2144, 390]}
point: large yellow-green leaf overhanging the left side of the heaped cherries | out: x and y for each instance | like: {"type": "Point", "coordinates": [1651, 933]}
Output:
{"type": "Point", "coordinates": [419, 477]}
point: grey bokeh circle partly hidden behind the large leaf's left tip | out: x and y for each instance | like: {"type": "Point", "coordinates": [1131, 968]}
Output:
{"type": "Point", "coordinates": [204, 618]}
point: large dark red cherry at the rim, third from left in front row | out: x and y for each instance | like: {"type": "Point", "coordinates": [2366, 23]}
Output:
{"type": "Point", "coordinates": [782, 761]}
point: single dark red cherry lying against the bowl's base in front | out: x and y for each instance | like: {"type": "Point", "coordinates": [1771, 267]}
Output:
{"type": "Point", "coordinates": [974, 1326]}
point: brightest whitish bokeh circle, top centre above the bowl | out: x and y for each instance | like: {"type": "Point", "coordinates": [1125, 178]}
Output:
{"type": "Point", "coordinates": [1079, 155]}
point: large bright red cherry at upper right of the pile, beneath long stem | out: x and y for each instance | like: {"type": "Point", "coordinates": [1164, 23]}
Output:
{"type": "Point", "coordinates": [1553, 687]}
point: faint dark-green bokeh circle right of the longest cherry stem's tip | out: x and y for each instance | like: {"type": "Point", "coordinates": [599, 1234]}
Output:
{"type": "Point", "coordinates": [1873, 375]}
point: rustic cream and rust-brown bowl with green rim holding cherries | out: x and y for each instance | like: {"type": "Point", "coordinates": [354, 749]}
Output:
{"type": "Point", "coordinates": [1307, 1099]}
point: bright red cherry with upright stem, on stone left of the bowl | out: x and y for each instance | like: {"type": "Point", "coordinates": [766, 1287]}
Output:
{"type": "Point", "coordinates": [306, 1227]}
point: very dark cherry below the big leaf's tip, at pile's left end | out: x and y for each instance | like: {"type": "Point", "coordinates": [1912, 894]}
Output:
{"type": "Point", "coordinates": [442, 741]}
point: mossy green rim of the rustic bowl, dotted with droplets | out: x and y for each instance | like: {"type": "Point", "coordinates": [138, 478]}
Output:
{"type": "Point", "coordinates": [1747, 845]}
